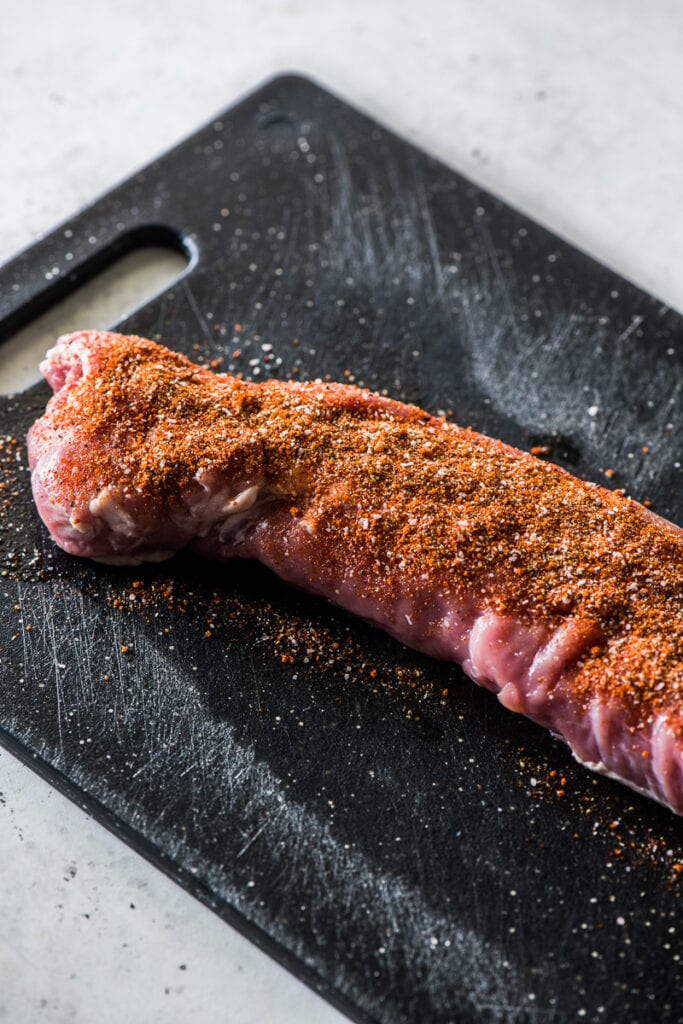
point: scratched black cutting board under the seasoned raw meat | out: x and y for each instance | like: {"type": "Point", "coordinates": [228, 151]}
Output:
{"type": "Point", "coordinates": [367, 816]}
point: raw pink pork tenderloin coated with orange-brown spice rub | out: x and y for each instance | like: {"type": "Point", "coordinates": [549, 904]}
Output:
{"type": "Point", "coordinates": [564, 599]}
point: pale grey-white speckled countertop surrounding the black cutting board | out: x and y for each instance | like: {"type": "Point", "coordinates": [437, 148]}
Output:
{"type": "Point", "coordinates": [572, 111]}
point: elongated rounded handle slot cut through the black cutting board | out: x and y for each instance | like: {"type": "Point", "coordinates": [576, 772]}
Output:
{"type": "Point", "coordinates": [99, 293]}
